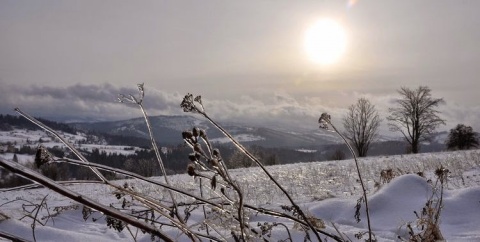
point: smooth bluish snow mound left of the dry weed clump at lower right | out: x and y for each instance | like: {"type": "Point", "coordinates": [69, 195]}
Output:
{"type": "Point", "coordinates": [391, 207]}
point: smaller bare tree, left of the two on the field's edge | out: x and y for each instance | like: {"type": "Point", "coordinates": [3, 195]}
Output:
{"type": "Point", "coordinates": [361, 124]}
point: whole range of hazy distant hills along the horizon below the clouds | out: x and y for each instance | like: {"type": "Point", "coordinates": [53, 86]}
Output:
{"type": "Point", "coordinates": [314, 144]}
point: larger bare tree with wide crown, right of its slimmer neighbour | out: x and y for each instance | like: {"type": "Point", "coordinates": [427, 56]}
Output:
{"type": "Point", "coordinates": [415, 115]}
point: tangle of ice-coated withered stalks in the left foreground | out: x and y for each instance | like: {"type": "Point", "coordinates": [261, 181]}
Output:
{"type": "Point", "coordinates": [225, 214]}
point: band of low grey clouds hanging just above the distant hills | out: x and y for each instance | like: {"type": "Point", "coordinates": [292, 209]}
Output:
{"type": "Point", "coordinates": [99, 102]}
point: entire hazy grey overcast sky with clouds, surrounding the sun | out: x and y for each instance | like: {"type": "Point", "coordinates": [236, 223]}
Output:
{"type": "Point", "coordinates": [246, 58]}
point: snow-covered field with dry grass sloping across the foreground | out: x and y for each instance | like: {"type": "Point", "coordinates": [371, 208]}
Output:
{"type": "Point", "coordinates": [326, 190]}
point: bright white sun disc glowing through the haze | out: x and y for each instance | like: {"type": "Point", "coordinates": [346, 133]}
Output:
{"type": "Point", "coordinates": [325, 41]}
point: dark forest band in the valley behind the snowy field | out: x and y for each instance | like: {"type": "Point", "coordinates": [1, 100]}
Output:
{"type": "Point", "coordinates": [143, 161]}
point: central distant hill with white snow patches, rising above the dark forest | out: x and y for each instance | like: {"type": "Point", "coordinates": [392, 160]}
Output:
{"type": "Point", "coordinates": [167, 130]}
